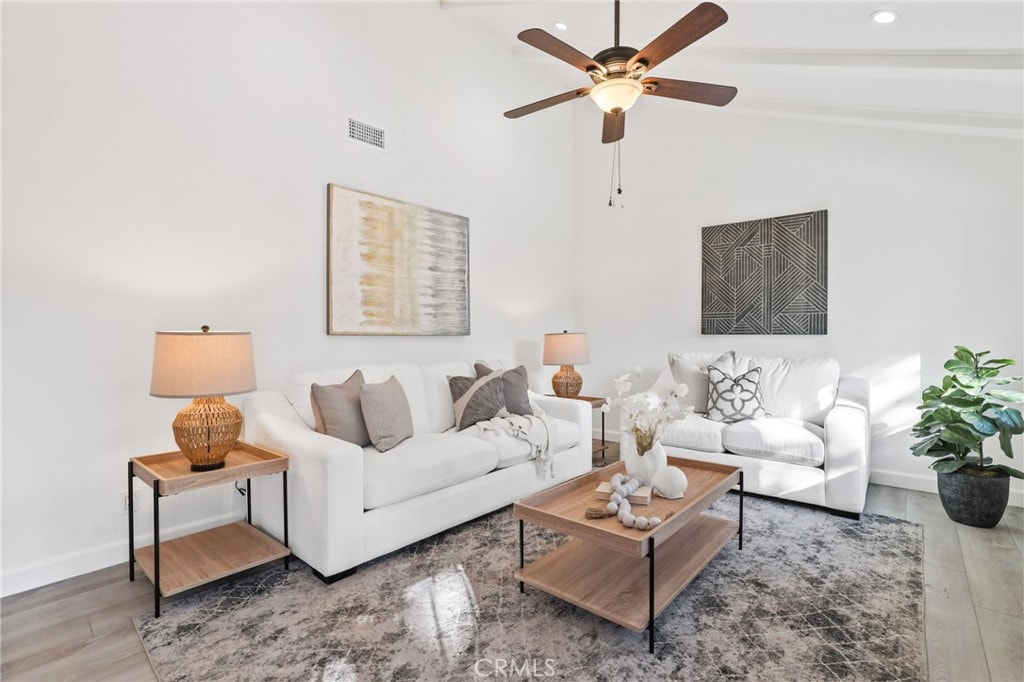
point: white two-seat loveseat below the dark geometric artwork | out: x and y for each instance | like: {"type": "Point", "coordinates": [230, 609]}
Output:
{"type": "Point", "coordinates": [816, 449]}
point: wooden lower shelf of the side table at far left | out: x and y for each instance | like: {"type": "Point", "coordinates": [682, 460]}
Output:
{"type": "Point", "coordinates": [203, 558]}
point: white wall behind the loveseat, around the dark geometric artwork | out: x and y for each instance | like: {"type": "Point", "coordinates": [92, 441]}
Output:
{"type": "Point", "coordinates": [926, 235]}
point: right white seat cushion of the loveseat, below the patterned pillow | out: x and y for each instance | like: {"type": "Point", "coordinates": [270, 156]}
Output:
{"type": "Point", "coordinates": [791, 441]}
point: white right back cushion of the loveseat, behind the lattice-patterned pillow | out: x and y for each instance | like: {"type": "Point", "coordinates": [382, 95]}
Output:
{"type": "Point", "coordinates": [794, 388]}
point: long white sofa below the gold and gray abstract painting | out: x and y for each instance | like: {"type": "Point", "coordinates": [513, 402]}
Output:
{"type": "Point", "coordinates": [349, 505]}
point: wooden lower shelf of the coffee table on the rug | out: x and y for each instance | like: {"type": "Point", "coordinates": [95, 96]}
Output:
{"type": "Point", "coordinates": [616, 586]}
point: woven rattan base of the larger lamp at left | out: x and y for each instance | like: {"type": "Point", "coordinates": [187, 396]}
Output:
{"type": "Point", "coordinates": [206, 432]}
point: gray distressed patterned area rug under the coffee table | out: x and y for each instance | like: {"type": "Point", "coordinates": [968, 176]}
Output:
{"type": "Point", "coordinates": [812, 596]}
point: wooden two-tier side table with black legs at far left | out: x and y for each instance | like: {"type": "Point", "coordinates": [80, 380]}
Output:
{"type": "Point", "coordinates": [202, 558]}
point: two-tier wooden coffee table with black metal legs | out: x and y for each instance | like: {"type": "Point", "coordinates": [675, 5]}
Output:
{"type": "Point", "coordinates": [606, 567]}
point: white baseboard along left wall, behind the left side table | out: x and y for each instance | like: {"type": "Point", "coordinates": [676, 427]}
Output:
{"type": "Point", "coordinates": [86, 562]}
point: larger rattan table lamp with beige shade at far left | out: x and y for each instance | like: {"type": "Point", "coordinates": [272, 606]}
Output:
{"type": "Point", "coordinates": [204, 366]}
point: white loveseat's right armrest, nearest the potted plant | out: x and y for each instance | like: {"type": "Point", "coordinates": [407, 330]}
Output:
{"type": "Point", "coordinates": [848, 443]}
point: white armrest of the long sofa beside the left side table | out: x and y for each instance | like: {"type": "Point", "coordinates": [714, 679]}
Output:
{"type": "Point", "coordinates": [325, 487]}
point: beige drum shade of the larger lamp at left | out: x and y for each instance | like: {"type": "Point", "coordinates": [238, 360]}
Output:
{"type": "Point", "coordinates": [202, 364]}
